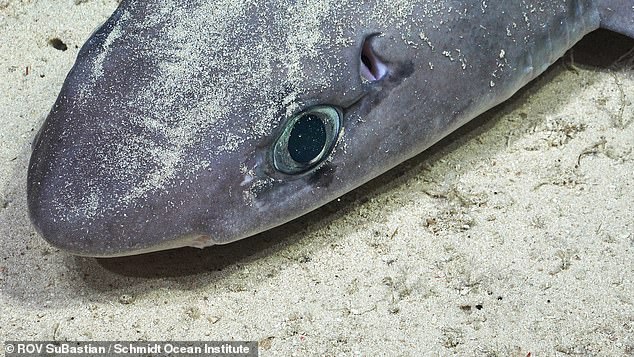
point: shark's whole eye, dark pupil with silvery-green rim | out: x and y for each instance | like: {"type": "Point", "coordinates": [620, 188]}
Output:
{"type": "Point", "coordinates": [307, 139]}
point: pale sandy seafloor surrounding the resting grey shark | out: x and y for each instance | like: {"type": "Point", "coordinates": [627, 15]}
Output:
{"type": "Point", "coordinates": [515, 235]}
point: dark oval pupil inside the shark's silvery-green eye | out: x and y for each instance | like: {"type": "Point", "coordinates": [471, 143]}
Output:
{"type": "Point", "coordinates": [307, 139]}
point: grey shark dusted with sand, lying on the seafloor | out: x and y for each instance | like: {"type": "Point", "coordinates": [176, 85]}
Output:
{"type": "Point", "coordinates": [169, 130]}
